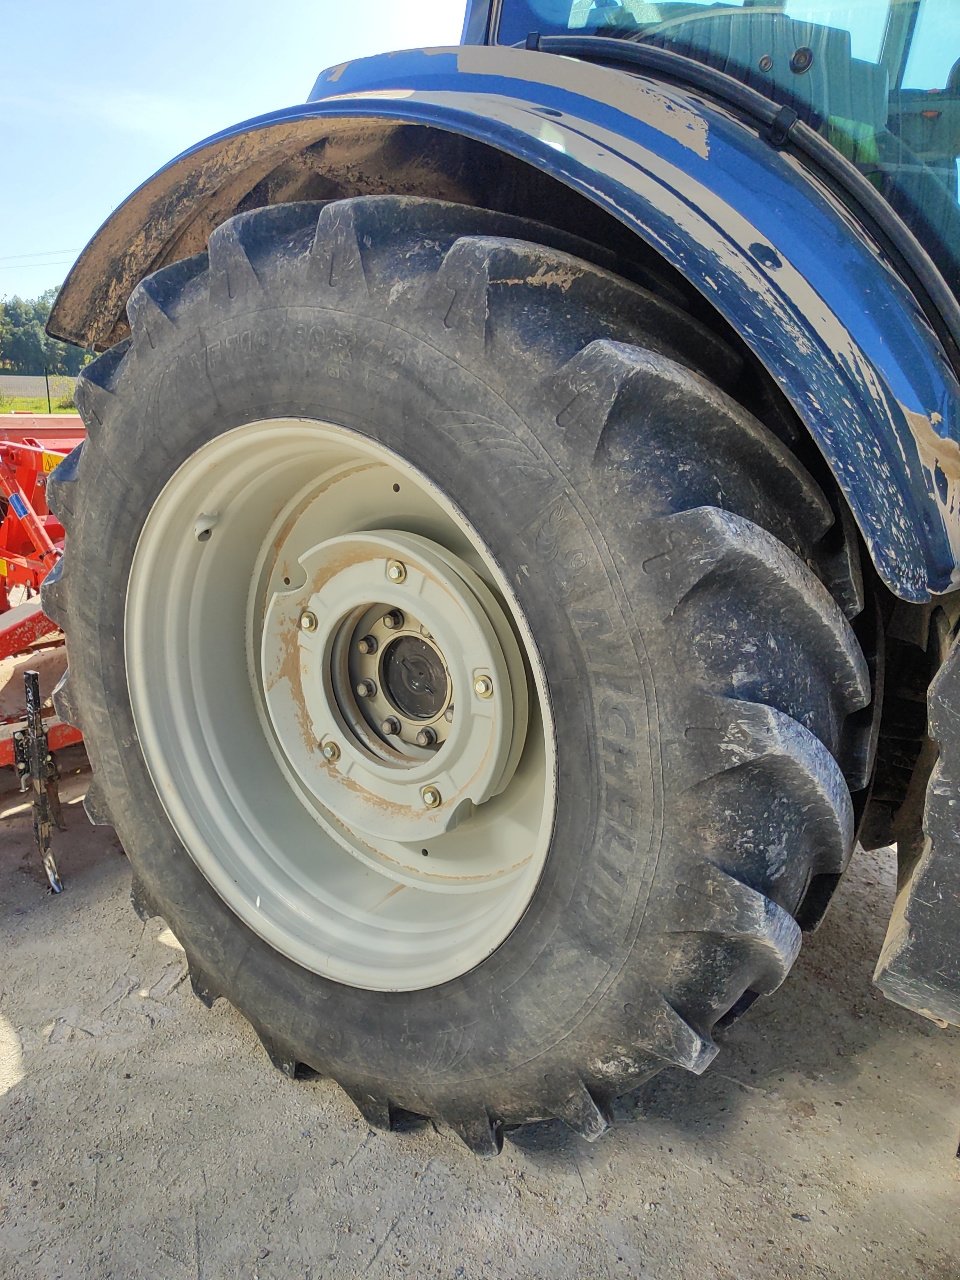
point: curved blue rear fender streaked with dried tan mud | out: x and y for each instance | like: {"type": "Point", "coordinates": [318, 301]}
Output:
{"type": "Point", "coordinates": [774, 253]}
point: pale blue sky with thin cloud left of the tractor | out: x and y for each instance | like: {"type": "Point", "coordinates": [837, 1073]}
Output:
{"type": "Point", "coordinates": [98, 95]}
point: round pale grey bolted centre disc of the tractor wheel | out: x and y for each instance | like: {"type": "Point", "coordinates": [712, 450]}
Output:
{"type": "Point", "coordinates": [403, 702]}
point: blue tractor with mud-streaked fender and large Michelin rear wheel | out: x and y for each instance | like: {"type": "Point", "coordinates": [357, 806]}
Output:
{"type": "Point", "coordinates": [515, 552]}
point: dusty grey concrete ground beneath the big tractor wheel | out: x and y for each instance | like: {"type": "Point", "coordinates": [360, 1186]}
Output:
{"type": "Point", "coordinates": [143, 1136]}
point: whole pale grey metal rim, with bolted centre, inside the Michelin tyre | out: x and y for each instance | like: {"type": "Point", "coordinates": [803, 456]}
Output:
{"type": "Point", "coordinates": [304, 816]}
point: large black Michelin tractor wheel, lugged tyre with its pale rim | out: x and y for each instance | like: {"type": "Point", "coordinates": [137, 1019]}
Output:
{"type": "Point", "coordinates": [469, 676]}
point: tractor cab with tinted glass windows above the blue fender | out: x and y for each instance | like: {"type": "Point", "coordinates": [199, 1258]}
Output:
{"type": "Point", "coordinates": [879, 79]}
